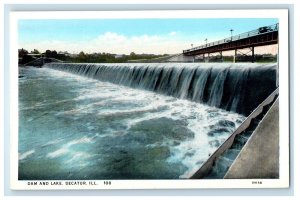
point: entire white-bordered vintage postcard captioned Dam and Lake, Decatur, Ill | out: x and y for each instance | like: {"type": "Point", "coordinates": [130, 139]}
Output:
{"type": "Point", "coordinates": [149, 99]}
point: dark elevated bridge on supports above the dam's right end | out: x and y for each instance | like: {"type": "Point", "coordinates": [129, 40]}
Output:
{"type": "Point", "coordinates": [262, 36]}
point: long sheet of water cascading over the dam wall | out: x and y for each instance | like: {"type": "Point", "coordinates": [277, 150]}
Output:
{"type": "Point", "coordinates": [233, 87]}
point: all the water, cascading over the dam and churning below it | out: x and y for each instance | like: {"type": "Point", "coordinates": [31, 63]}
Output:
{"type": "Point", "coordinates": [133, 121]}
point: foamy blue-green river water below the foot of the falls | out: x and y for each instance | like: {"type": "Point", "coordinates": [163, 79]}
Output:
{"type": "Point", "coordinates": [73, 127]}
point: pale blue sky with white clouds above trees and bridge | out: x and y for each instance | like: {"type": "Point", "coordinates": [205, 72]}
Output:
{"type": "Point", "coordinates": [123, 36]}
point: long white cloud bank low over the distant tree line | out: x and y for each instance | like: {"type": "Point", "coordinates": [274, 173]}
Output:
{"type": "Point", "coordinates": [112, 42]}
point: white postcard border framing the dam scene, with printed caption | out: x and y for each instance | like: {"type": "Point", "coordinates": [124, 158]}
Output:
{"type": "Point", "coordinates": [282, 182]}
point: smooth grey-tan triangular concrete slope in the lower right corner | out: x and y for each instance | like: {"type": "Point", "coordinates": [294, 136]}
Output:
{"type": "Point", "coordinates": [260, 156]}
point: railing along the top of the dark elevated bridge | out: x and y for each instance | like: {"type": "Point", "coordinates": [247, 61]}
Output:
{"type": "Point", "coordinates": [261, 30]}
